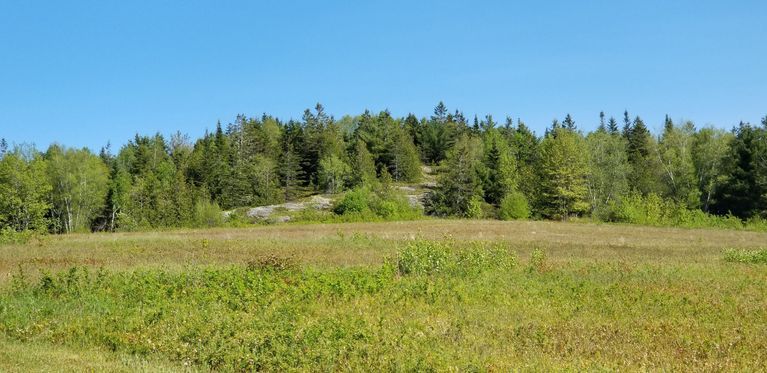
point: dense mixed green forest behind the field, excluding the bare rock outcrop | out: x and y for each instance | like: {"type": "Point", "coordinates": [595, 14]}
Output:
{"type": "Point", "coordinates": [619, 172]}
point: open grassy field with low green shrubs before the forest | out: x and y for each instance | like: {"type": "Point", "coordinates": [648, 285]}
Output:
{"type": "Point", "coordinates": [425, 295]}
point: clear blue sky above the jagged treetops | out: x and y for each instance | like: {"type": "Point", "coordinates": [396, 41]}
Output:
{"type": "Point", "coordinates": [86, 72]}
